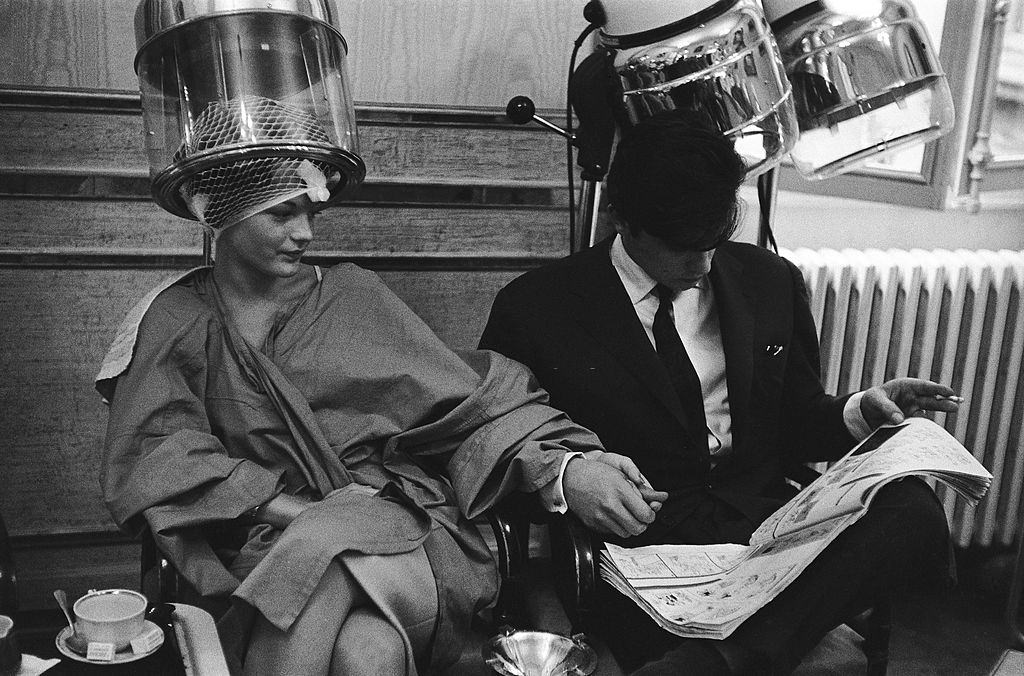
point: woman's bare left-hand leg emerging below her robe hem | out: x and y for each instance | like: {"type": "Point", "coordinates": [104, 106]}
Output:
{"type": "Point", "coordinates": [310, 644]}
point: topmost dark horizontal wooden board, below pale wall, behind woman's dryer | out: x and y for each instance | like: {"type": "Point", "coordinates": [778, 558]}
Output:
{"type": "Point", "coordinates": [81, 142]}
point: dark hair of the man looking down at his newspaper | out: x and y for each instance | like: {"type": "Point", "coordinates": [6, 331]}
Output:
{"type": "Point", "coordinates": [676, 178]}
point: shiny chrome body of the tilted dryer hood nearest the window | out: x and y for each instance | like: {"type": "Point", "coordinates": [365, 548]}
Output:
{"type": "Point", "coordinates": [862, 87]}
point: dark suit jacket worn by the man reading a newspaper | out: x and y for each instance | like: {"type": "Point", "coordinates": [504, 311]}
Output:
{"type": "Point", "coordinates": [573, 324]}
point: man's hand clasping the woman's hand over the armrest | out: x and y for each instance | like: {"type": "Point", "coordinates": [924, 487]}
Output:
{"type": "Point", "coordinates": [606, 494]}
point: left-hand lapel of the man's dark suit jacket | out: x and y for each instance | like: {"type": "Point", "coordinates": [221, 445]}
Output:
{"type": "Point", "coordinates": [602, 307]}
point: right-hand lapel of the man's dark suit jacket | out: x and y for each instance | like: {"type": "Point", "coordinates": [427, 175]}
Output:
{"type": "Point", "coordinates": [734, 302]}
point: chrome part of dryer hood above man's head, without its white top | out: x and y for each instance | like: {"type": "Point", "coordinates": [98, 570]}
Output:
{"type": "Point", "coordinates": [729, 67]}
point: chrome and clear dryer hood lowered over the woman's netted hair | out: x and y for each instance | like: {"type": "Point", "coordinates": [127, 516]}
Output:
{"type": "Point", "coordinates": [226, 82]}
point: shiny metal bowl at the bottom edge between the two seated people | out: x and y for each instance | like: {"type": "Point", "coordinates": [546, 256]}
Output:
{"type": "Point", "coordinates": [516, 653]}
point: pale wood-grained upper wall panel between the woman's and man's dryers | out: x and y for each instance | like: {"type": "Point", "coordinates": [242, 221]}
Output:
{"type": "Point", "coordinates": [460, 53]}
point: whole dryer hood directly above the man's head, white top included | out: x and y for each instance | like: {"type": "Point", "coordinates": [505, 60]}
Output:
{"type": "Point", "coordinates": [719, 58]}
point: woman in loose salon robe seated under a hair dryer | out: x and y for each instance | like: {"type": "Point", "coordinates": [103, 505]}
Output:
{"type": "Point", "coordinates": [300, 440]}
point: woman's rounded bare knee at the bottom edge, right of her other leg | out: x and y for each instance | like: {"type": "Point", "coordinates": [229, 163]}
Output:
{"type": "Point", "coordinates": [368, 644]}
